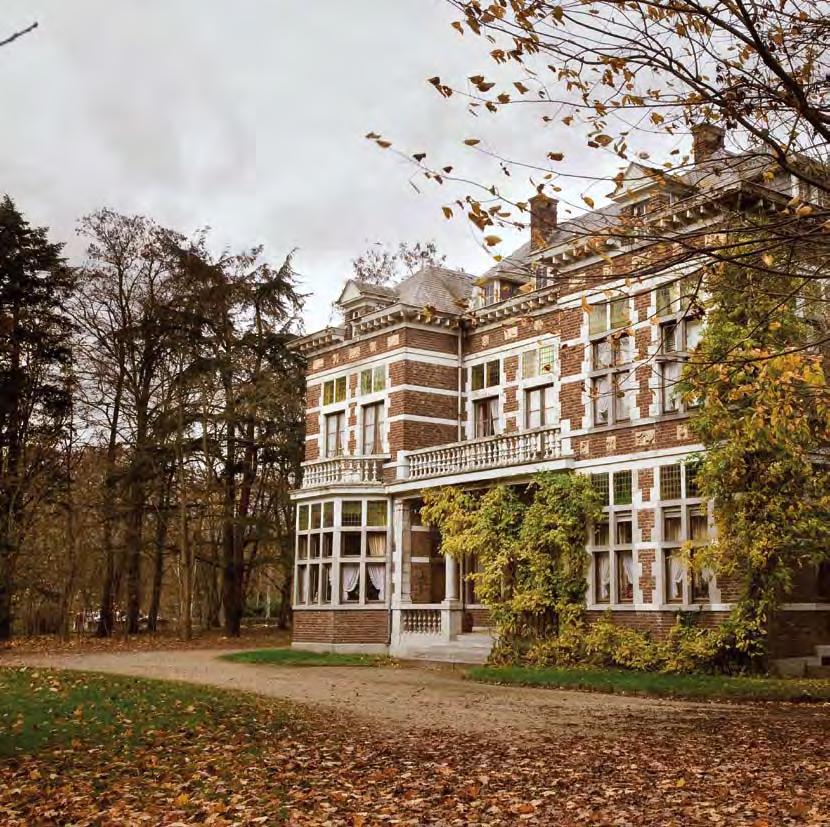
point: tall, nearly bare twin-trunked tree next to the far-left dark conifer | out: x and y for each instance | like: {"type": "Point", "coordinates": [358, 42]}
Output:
{"type": "Point", "coordinates": [124, 310]}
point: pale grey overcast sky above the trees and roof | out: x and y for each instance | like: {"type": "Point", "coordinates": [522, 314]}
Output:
{"type": "Point", "coordinates": [248, 116]}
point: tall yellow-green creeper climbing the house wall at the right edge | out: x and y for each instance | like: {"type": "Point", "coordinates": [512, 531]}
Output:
{"type": "Point", "coordinates": [764, 416]}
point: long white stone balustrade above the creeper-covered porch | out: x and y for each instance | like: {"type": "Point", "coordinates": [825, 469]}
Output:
{"type": "Point", "coordinates": [499, 451]}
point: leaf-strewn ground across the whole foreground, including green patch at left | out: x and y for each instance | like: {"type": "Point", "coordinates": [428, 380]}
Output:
{"type": "Point", "coordinates": [125, 751]}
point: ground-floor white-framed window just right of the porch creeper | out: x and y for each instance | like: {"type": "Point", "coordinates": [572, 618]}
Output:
{"type": "Point", "coordinates": [611, 541]}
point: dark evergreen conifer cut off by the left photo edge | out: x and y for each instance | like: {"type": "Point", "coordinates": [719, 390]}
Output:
{"type": "Point", "coordinates": [35, 392]}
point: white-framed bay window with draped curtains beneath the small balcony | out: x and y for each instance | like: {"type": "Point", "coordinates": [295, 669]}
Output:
{"type": "Point", "coordinates": [342, 552]}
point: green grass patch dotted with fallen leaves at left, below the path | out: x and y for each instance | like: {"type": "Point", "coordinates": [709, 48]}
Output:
{"type": "Point", "coordinates": [42, 708]}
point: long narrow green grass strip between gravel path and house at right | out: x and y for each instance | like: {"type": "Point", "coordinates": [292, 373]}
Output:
{"type": "Point", "coordinates": [650, 683]}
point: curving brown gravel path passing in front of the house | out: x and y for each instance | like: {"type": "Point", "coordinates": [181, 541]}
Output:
{"type": "Point", "coordinates": [414, 695]}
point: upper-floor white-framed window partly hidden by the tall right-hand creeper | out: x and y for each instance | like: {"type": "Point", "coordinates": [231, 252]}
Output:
{"type": "Point", "coordinates": [681, 323]}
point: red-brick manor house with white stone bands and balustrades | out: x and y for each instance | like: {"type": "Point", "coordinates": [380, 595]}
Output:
{"type": "Point", "coordinates": [566, 356]}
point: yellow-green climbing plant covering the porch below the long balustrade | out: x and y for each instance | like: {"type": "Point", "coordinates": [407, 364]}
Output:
{"type": "Point", "coordinates": [531, 551]}
